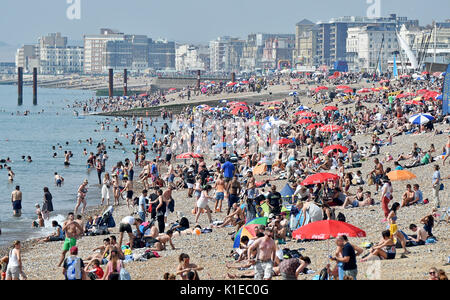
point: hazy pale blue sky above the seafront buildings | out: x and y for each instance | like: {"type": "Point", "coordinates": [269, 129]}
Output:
{"type": "Point", "coordinates": [193, 21]}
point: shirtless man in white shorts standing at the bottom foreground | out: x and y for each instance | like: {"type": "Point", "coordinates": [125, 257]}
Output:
{"type": "Point", "coordinates": [265, 257]}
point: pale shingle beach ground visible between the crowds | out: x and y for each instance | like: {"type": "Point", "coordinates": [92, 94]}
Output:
{"type": "Point", "coordinates": [211, 250]}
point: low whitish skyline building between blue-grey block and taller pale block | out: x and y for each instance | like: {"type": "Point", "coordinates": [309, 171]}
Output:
{"type": "Point", "coordinates": [189, 58]}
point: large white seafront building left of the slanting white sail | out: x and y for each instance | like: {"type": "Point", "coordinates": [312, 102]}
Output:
{"type": "Point", "coordinates": [370, 46]}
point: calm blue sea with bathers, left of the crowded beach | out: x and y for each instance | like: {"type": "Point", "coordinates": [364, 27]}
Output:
{"type": "Point", "coordinates": [52, 122]}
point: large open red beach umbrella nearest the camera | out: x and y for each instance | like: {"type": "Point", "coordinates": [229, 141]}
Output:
{"type": "Point", "coordinates": [324, 230]}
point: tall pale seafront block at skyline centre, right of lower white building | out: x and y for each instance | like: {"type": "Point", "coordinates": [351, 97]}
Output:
{"type": "Point", "coordinates": [225, 54]}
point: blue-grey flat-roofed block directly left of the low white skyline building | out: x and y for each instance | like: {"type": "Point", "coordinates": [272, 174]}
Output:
{"type": "Point", "coordinates": [161, 55]}
